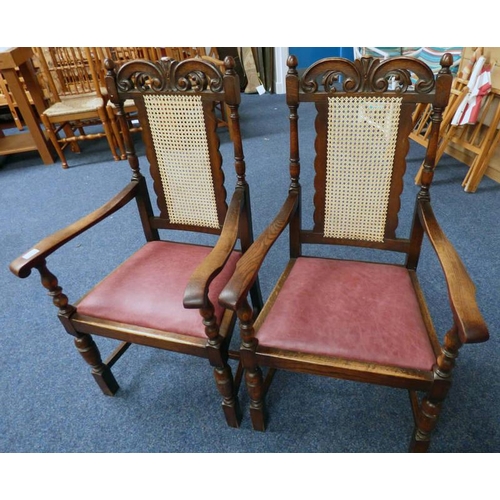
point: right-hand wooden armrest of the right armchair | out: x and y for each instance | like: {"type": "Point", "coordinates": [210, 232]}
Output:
{"type": "Point", "coordinates": [461, 289]}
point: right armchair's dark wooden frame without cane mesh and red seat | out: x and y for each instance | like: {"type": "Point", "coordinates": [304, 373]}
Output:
{"type": "Point", "coordinates": [362, 78]}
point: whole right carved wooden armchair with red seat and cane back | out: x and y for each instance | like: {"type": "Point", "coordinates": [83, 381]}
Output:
{"type": "Point", "coordinates": [344, 317]}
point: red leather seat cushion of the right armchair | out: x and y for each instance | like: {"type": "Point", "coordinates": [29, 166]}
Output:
{"type": "Point", "coordinates": [355, 310]}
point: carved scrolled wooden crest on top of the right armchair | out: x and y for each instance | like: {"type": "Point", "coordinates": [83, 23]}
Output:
{"type": "Point", "coordinates": [368, 74]}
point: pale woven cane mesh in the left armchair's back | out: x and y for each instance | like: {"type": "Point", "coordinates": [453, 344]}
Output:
{"type": "Point", "coordinates": [180, 141]}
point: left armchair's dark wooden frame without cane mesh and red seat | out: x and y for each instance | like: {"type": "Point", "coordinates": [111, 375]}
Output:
{"type": "Point", "coordinates": [136, 80]}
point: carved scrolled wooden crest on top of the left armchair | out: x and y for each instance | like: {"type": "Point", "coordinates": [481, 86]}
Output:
{"type": "Point", "coordinates": [191, 75]}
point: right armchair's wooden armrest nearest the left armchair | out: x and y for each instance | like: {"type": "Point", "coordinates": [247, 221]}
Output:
{"type": "Point", "coordinates": [248, 266]}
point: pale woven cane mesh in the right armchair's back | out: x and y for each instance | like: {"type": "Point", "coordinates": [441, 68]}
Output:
{"type": "Point", "coordinates": [362, 134]}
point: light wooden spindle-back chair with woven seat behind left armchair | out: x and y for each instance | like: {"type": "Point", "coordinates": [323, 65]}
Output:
{"type": "Point", "coordinates": [77, 101]}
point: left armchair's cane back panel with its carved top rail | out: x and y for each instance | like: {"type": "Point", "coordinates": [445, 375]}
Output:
{"type": "Point", "coordinates": [176, 110]}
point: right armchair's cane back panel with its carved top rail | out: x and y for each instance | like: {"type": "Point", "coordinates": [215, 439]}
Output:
{"type": "Point", "coordinates": [363, 122]}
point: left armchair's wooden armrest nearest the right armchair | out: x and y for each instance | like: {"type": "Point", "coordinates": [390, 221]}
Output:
{"type": "Point", "coordinates": [196, 293]}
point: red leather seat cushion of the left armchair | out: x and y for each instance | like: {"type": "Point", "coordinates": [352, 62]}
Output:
{"type": "Point", "coordinates": [148, 289]}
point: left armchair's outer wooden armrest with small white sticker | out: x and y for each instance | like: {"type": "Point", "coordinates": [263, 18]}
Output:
{"type": "Point", "coordinates": [23, 265]}
